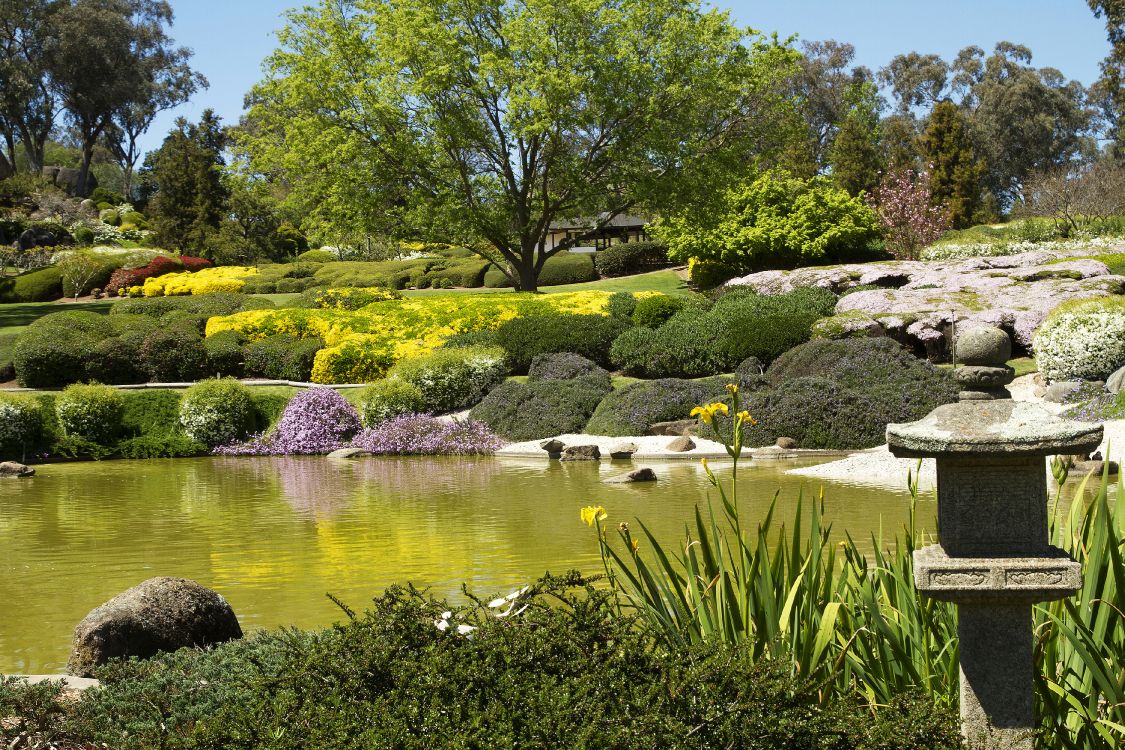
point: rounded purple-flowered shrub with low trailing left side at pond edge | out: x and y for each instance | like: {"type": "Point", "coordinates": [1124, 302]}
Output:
{"type": "Point", "coordinates": [316, 421]}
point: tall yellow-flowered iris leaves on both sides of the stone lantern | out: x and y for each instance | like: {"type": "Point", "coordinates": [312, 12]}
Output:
{"type": "Point", "coordinates": [854, 622]}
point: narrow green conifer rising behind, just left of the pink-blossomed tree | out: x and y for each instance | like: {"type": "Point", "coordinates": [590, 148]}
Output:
{"type": "Point", "coordinates": [856, 156]}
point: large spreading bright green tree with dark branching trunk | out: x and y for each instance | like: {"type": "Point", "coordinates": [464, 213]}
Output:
{"type": "Point", "coordinates": [481, 123]}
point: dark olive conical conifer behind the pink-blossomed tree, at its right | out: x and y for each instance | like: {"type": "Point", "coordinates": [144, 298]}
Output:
{"type": "Point", "coordinates": [957, 175]}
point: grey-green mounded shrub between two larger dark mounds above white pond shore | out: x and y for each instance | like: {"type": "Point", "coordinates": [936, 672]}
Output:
{"type": "Point", "coordinates": [632, 410]}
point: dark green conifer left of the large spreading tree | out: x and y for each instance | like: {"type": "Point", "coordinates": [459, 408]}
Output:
{"type": "Point", "coordinates": [191, 202]}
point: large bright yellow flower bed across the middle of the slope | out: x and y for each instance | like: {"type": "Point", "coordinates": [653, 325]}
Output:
{"type": "Point", "coordinates": [362, 346]}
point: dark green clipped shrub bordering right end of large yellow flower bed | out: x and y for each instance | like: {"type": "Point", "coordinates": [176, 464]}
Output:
{"type": "Point", "coordinates": [590, 336]}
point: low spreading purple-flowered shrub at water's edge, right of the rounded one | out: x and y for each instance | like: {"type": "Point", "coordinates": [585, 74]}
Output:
{"type": "Point", "coordinates": [426, 436]}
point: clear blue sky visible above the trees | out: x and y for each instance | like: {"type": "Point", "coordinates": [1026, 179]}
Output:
{"type": "Point", "coordinates": [232, 38]}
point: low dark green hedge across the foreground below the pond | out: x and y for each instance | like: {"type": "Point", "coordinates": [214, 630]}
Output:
{"type": "Point", "coordinates": [568, 673]}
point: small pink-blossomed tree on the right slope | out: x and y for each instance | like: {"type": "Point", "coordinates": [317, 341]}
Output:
{"type": "Point", "coordinates": [904, 204]}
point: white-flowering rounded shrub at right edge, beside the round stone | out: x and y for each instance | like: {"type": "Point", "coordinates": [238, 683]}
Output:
{"type": "Point", "coordinates": [1083, 340]}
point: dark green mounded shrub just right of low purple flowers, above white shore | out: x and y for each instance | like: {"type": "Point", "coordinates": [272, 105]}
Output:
{"type": "Point", "coordinates": [539, 409]}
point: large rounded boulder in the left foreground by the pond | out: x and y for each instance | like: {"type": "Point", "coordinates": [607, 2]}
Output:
{"type": "Point", "coordinates": [160, 615]}
